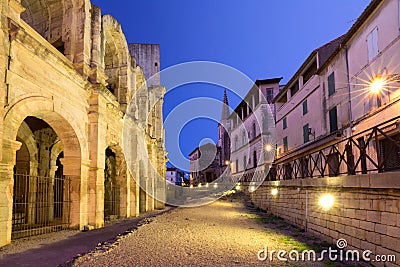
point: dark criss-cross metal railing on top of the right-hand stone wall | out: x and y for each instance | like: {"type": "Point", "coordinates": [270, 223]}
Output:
{"type": "Point", "coordinates": [375, 150]}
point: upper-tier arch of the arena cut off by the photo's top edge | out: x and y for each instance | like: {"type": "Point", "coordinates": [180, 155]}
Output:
{"type": "Point", "coordinates": [61, 23]}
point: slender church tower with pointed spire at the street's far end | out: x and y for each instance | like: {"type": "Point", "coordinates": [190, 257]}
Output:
{"type": "Point", "coordinates": [223, 136]}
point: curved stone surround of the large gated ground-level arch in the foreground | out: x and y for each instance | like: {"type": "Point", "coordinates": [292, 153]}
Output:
{"type": "Point", "coordinates": [72, 136]}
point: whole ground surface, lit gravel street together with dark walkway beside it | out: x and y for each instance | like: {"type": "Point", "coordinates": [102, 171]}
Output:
{"type": "Point", "coordinates": [225, 233]}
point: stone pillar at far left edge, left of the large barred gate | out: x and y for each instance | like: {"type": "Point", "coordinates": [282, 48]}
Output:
{"type": "Point", "coordinates": [7, 163]}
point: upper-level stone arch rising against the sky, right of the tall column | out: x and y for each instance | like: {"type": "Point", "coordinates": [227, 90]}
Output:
{"type": "Point", "coordinates": [115, 59]}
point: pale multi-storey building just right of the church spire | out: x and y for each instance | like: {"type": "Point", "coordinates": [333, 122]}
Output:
{"type": "Point", "coordinates": [252, 149]}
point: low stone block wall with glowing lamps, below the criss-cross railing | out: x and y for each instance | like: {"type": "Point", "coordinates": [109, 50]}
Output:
{"type": "Point", "coordinates": [366, 211]}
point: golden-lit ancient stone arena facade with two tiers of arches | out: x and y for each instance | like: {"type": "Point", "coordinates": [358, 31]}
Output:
{"type": "Point", "coordinates": [69, 79]}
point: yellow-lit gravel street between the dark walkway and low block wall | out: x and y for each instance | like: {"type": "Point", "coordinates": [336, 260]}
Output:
{"type": "Point", "coordinates": [225, 233]}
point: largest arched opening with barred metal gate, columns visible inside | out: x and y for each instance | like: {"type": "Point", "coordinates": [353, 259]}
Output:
{"type": "Point", "coordinates": [41, 201]}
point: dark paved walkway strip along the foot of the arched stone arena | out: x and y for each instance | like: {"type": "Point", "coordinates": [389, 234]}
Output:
{"type": "Point", "coordinates": [59, 248]}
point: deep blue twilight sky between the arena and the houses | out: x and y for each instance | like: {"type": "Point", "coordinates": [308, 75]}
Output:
{"type": "Point", "coordinates": [261, 38]}
